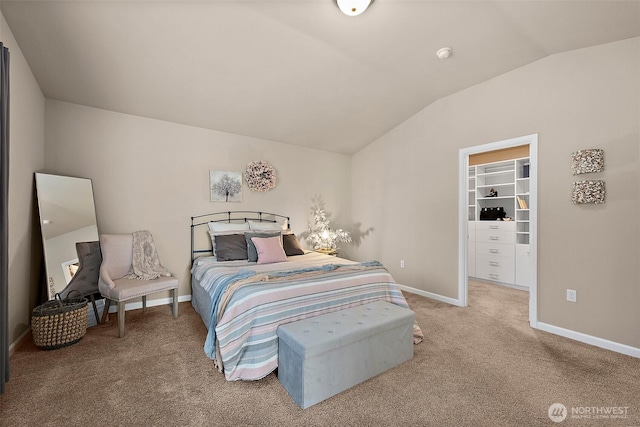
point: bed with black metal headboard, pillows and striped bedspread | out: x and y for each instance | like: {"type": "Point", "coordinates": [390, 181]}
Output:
{"type": "Point", "coordinates": [242, 301]}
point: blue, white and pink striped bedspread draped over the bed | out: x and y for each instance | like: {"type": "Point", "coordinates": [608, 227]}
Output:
{"type": "Point", "coordinates": [249, 301]}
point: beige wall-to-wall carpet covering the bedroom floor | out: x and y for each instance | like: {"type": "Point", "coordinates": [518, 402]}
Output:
{"type": "Point", "coordinates": [478, 366]}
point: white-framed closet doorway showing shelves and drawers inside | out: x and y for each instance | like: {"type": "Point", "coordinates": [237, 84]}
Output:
{"type": "Point", "coordinates": [502, 187]}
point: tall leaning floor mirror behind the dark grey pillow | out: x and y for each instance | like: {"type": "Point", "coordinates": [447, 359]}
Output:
{"type": "Point", "coordinates": [67, 217]}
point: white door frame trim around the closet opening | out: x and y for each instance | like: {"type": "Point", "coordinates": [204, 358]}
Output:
{"type": "Point", "coordinates": [463, 217]}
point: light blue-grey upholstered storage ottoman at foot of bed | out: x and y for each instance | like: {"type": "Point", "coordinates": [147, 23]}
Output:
{"type": "Point", "coordinates": [321, 356]}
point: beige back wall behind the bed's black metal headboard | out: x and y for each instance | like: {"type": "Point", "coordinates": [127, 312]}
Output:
{"type": "Point", "coordinates": [154, 175]}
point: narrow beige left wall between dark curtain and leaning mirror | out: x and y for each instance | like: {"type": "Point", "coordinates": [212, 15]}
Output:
{"type": "Point", "coordinates": [26, 155]}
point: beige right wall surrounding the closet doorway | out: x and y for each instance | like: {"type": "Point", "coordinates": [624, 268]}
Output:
{"type": "Point", "coordinates": [587, 98]}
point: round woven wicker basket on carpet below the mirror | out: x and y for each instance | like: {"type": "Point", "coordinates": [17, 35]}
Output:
{"type": "Point", "coordinates": [59, 323]}
